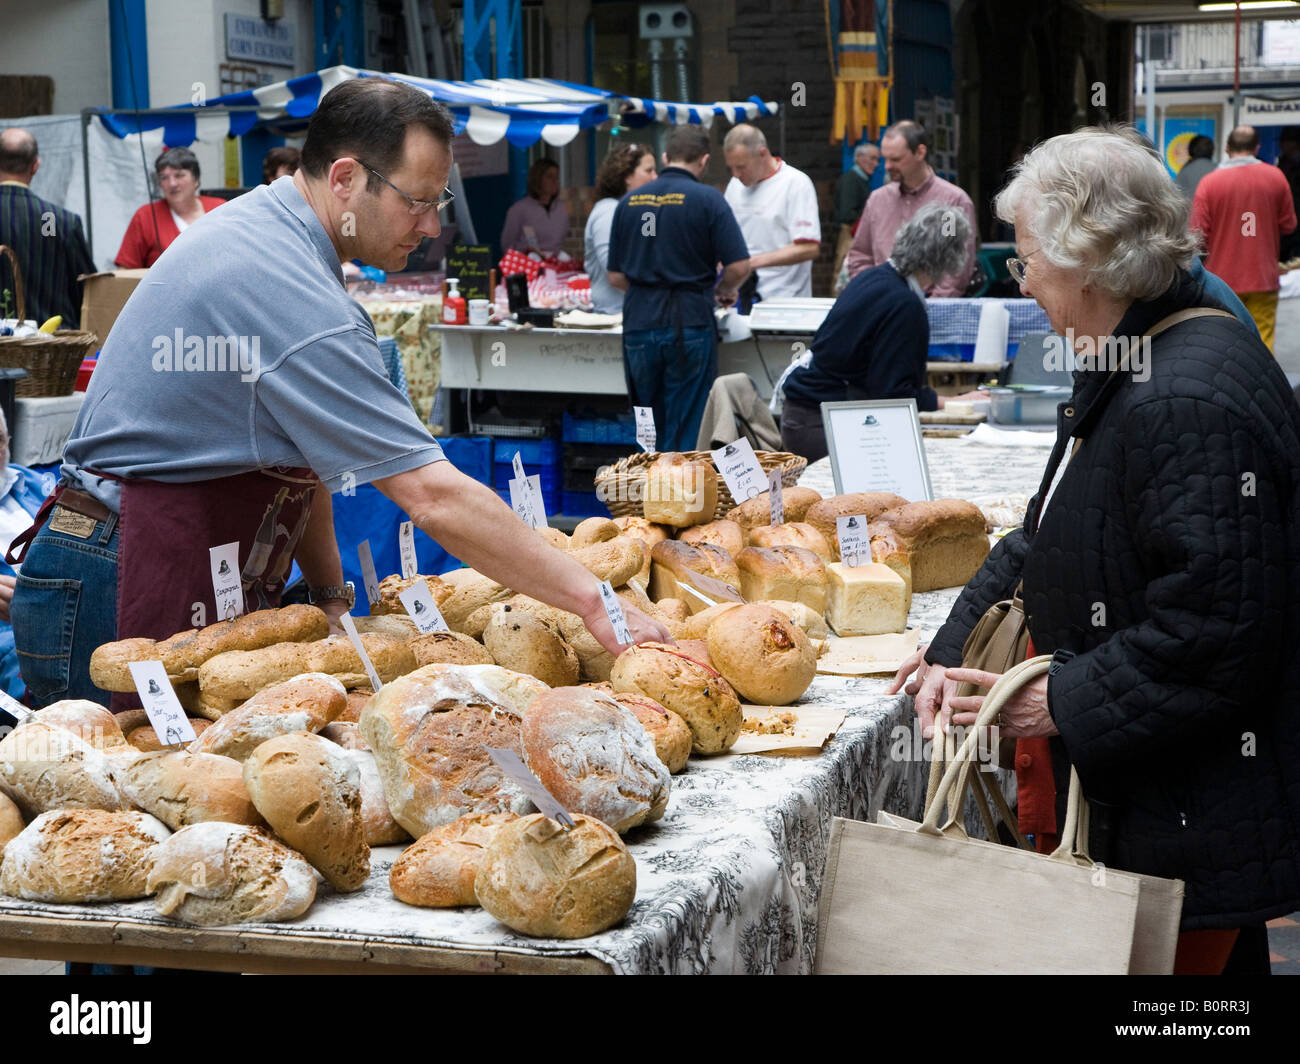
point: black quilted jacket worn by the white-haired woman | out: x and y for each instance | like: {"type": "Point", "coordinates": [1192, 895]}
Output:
{"type": "Point", "coordinates": [1169, 564]}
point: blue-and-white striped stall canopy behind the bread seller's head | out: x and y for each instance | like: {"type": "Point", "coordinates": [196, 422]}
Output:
{"type": "Point", "coordinates": [519, 110]}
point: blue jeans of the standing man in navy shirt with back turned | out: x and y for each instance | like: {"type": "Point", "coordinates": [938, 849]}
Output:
{"type": "Point", "coordinates": [674, 379]}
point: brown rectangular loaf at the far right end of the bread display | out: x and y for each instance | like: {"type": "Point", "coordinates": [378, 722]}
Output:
{"type": "Point", "coordinates": [944, 542]}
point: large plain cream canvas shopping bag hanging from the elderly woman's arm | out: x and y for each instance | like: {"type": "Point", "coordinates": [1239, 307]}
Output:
{"type": "Point", "coordinates": [900, 898]}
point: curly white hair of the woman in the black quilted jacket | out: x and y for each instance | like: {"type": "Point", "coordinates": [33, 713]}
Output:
{"type": "Point", "coordinates": [1100, 201]}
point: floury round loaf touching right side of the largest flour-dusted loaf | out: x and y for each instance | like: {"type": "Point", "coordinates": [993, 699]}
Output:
{"type": "Point", "coordinates": [595, 758]}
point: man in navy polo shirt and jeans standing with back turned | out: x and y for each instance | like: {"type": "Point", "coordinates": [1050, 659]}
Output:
{"type": "Point", "coordinates": [668, 241]}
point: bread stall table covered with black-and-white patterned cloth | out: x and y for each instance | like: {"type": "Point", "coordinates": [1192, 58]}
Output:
{"type": "Point", "coordinates": [729, 881]}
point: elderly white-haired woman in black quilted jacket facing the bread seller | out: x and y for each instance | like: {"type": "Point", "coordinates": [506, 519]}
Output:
{"type": "Point", "coordinates": [1159, 564]}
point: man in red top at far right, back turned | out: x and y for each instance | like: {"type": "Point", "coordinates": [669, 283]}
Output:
{"type": "Point", "coordinates": [1243, 210]}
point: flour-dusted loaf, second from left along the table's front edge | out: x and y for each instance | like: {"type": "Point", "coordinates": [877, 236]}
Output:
{"type": "Point", "coordinates": [229, 873]}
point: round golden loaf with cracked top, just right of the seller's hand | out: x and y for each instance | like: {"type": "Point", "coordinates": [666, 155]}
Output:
{"type": "Point", "coordinates": [764, 655]}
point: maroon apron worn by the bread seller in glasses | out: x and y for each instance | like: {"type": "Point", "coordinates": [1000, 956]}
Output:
{"type": "Point", "coordinates": [163, 568]}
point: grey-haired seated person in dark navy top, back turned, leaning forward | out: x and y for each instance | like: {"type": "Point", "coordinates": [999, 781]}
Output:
{"type": "Point", "coordinates": [876, 340]}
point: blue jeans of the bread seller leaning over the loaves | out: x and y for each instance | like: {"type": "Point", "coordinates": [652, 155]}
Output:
{"type": "Point", "coordinates": [64, 607]}
